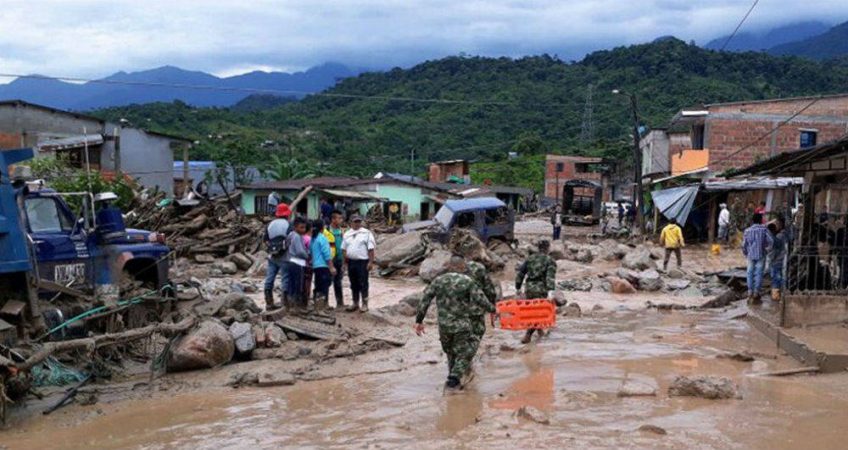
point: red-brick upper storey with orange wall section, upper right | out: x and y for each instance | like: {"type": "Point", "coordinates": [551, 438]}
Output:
{"type": "Point", "coordinates": [714, 136]}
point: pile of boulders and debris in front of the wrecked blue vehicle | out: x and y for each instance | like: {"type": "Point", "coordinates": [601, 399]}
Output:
{"type": "Point", "coordinates": [415, 253]}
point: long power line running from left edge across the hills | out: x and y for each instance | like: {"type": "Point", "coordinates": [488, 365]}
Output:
{"type": "Point", "coordinates": [265, 91]}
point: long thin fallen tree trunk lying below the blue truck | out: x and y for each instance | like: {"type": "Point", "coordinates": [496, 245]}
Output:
{"type": "Point", "coordinates": [104, 340]}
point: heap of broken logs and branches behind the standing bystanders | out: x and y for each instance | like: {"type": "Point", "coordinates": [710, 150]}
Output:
{"type": "Point", "coordinates": [213, 227]}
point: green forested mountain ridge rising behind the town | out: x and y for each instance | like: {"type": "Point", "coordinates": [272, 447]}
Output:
{"type": "Point", "coordinates": [530, 105]}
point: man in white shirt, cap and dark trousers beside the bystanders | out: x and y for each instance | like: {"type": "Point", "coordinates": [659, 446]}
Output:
{"type": "Point", "coordinates": [358, 246]}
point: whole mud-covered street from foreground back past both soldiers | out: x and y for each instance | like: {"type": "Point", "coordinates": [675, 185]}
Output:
{"type": "Point", "coordinates": [600, 379]}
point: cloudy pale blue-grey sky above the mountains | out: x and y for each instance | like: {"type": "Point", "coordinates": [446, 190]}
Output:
{"type": "Point", "coordinates": [88, 38]}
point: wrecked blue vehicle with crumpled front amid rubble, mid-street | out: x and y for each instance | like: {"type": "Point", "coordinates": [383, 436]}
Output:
{"type": "Point", "coordinates": [489, 218]}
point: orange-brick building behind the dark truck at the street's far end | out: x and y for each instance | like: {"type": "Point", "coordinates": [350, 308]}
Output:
{"type": "Point", "coordinates": [559, 169]}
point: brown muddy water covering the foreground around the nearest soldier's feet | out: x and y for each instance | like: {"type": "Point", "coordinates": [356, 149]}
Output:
{"type": "Point", "coordinates": [574, 376]}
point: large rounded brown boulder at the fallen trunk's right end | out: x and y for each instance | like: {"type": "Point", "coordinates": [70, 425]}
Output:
{"type": "Point", "coordinates": [209, 345]}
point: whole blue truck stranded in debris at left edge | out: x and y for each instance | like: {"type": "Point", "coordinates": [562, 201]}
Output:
{"type": "Point", "coordinates": [50, 251]}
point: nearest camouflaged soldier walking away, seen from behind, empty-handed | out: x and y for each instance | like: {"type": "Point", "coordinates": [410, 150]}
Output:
{"type": "Point", "coordinates": [460, 304]}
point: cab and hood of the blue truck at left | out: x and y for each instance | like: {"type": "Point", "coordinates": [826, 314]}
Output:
{"type": "Point", "coordinates": [92, 252]}
